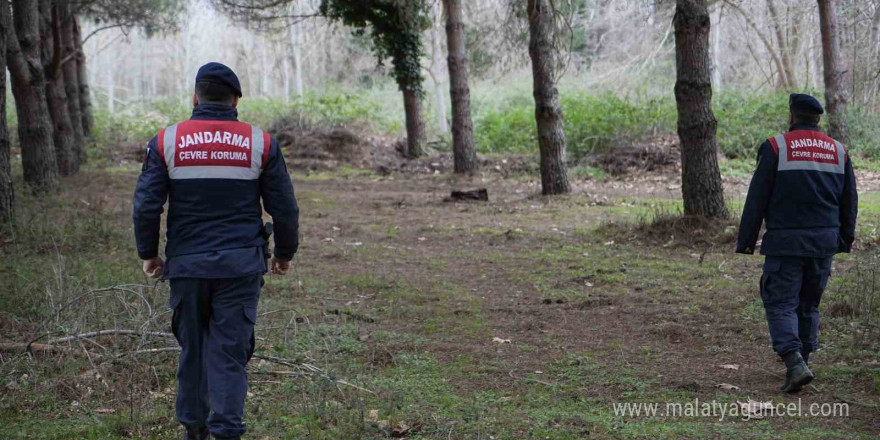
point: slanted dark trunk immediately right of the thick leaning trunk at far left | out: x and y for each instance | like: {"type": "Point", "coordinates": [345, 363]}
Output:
{"type": "Point", "coordinates": [56, 96]}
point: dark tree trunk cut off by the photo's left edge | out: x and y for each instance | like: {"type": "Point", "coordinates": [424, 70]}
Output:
{"type": "Point", "coordinates": [7, 191]}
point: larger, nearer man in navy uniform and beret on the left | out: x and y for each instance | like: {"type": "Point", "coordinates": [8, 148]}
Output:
{"type": "Point", "coordinates": [213, 170]}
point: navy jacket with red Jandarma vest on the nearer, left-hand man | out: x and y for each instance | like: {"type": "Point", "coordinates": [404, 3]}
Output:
{"type": "Point", "coordinates": [213, 171]}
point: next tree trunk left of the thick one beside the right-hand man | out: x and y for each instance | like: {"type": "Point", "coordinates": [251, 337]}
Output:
{"type": "Point", "coordinates": [548, 113]}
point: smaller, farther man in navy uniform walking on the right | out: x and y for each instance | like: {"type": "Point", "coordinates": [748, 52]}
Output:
{"type": "Point", "coordinates": [805, 190]}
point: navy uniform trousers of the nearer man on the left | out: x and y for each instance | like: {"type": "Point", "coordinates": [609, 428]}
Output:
{"type": "Point", "coordinates": [213, 322]}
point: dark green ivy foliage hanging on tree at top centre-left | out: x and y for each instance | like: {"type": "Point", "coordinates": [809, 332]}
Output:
{"type": "Point", "coordinates": [395, 27]}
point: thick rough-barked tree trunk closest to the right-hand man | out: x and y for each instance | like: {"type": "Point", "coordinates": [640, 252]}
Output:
{"type": "Point", "coordinates": [701, 186]}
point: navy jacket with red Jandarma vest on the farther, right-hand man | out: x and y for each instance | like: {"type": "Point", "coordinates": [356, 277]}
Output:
{"type": "Point", "coordinates": [804, 189]}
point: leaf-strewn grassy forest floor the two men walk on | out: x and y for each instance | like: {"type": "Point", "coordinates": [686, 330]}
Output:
{"type": "Point", "coordinates": [524, 317]}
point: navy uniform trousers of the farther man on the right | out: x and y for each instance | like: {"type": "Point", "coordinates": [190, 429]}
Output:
{"type": "Point", "coordinates": [791, 289]}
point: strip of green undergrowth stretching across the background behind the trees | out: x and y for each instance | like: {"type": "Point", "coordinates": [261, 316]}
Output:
{"type": "Point", "coordinates": [504, 118]}
